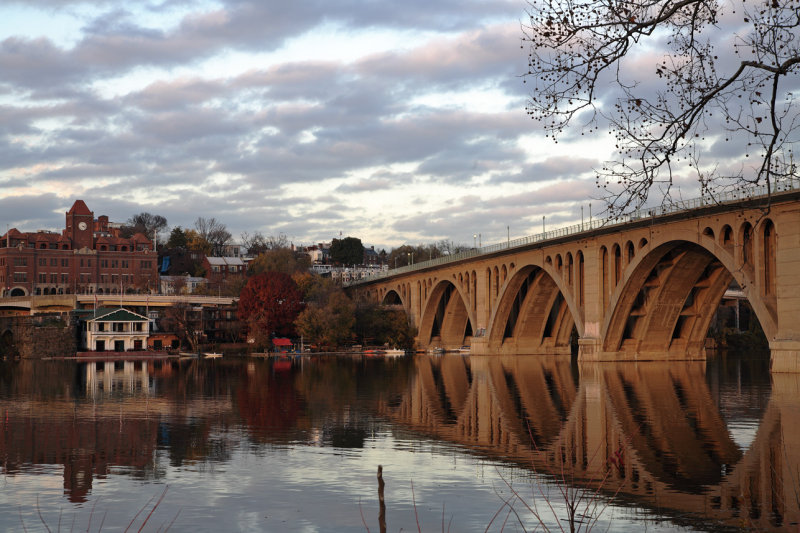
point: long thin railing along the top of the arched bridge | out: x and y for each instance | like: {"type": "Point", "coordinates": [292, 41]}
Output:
{"type": "Point", "coordinates": [784, 185]}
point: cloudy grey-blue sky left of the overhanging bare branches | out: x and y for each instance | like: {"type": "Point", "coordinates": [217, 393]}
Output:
{"type": "Point", "coordinates": [396, 122]}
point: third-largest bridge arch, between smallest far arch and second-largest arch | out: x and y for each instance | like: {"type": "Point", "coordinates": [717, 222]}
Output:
{"type": "Point", "coordinates": [447, 320]}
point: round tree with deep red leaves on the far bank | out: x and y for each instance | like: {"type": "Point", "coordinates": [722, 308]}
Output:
{"type": "Point", "coordinates": [269, 304]}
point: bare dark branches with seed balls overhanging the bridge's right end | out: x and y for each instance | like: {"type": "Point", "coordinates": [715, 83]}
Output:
{"type": "Point", "coordinates": [671, 81]}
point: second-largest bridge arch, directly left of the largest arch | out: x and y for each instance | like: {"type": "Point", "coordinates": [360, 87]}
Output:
{"type": "Point", "coordinates": [536, 311]}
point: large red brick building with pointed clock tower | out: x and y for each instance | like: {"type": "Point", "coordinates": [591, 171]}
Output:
{"type": "Point", "coordinates": [88, 256]}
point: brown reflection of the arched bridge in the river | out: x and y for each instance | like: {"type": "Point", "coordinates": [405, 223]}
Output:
{"type": "Point", "coordinates": [652, 431]}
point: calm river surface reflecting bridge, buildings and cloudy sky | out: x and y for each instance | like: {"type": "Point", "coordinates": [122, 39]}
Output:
{"type": "Point", "coordinates": [294, 445]}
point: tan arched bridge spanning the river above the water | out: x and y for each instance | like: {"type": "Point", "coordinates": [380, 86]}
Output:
{"type": "Point", "coordinates": [643, 289]}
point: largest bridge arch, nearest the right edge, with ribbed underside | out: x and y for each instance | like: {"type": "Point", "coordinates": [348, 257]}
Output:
{"type": "Point", "coordinates": [669, 292]}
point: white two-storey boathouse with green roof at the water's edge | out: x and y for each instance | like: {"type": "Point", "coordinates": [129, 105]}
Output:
{"type": "Point", "coordinates": [117, 330]}
